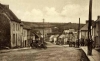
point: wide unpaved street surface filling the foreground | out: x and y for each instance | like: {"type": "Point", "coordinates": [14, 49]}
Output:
{"type": "Point", "coordinates": [52, 53]}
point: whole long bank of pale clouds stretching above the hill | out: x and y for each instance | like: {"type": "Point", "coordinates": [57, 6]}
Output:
{"type": "Point", "coordinates": [69, 13]}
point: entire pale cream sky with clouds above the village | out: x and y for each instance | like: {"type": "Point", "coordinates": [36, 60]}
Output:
{"type": "Point", "coordinates": [62, 11]}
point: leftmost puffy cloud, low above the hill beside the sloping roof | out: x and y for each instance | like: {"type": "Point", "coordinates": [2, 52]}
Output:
{"type": "Point", "coordinates": [33, 15]}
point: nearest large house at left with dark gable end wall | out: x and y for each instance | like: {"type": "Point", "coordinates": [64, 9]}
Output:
{"type": "Point", "coordinates": [9, 28]}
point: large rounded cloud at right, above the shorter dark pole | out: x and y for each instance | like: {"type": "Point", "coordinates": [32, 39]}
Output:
{"type": "Point", "coordinates": [72, 12]}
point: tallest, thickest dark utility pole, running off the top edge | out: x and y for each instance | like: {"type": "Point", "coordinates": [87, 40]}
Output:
{"type": "Point", "coordinates": [89, 29]}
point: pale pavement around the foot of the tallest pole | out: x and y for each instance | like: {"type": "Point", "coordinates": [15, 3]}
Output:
{"type": "Point", "coordinates": [95, 54]}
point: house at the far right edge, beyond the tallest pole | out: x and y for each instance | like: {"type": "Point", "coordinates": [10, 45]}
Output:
{"type": "Point", "coordinates": [96, 32]}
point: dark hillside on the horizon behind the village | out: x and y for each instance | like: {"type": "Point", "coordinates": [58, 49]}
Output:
{"type": "Point", "coordinates": [60, 26]}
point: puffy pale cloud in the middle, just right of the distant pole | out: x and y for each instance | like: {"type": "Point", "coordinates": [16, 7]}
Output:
{"type": "Point", "coordinates": [51, 15]}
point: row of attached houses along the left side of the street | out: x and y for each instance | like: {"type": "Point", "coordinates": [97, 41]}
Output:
{"type": "Point", "coordinates": [12, 32]}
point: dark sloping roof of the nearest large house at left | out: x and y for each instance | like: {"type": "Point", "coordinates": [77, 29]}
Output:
{"type": "Point", "coordinates": [5, 9]}
